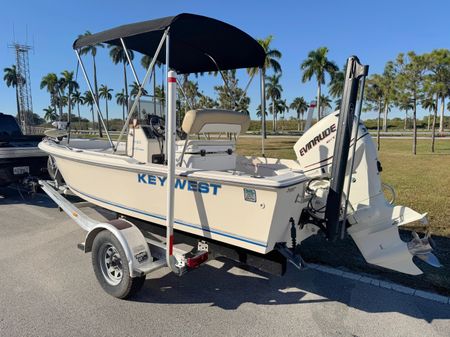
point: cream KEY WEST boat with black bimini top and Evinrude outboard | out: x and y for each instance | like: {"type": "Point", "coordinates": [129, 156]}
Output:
{"type": "Point", "coordinates": [192, 180]}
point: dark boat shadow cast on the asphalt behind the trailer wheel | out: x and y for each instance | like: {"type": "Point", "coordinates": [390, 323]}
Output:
{"type": "Point", "coordinates": [225, 288]}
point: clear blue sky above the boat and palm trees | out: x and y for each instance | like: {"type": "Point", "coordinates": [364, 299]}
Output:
{"type": "Point", "coordinates": [376, 31]}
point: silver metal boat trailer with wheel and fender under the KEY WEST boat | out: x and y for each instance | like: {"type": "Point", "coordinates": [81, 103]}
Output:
{"type": "Point", "coordinates": [125, 249]}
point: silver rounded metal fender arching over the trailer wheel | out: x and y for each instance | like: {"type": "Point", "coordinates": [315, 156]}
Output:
{"type": "Point", "coordinates": [132, 240]}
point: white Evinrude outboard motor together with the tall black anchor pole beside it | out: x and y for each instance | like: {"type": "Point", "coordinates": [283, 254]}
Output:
{"type": "Point", "coordinates": [346, 192]}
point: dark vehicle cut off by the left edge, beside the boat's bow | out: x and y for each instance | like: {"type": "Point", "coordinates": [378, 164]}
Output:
{"type": "Point", "coordinates": [20, 157]}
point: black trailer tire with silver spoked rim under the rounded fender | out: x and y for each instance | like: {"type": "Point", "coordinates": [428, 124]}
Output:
{"type": "Point", "coordinates": [111, 267]}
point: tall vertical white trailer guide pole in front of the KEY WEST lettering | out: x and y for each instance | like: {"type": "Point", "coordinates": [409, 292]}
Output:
{"type": "Point", "coordinates": [170, 150]}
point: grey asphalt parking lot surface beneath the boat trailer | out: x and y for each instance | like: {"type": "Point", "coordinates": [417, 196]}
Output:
{"type": "Point", "coordinates": [48, 289]}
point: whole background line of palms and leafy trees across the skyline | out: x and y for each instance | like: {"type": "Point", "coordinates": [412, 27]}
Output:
{"type": "Point", "coordinates": [409, 81]}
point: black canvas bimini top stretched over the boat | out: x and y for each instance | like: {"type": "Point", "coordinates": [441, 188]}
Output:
{"type": "Point", "coordinates": [192, 38]}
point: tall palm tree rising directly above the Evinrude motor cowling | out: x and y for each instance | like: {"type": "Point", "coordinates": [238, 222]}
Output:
{"type": "Point", "coordinates": [318, 65]}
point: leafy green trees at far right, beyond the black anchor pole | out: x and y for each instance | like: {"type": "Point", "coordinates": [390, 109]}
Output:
{"type": "Point", "coordinates": [409, 81]}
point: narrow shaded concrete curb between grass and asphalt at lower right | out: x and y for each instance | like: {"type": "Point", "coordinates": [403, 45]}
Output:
{"type": "Point", "coordinates": [382, 284]}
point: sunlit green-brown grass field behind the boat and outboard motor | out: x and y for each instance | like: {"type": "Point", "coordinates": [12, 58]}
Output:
{"type": "Point", "coordinates": [422, 182]}
